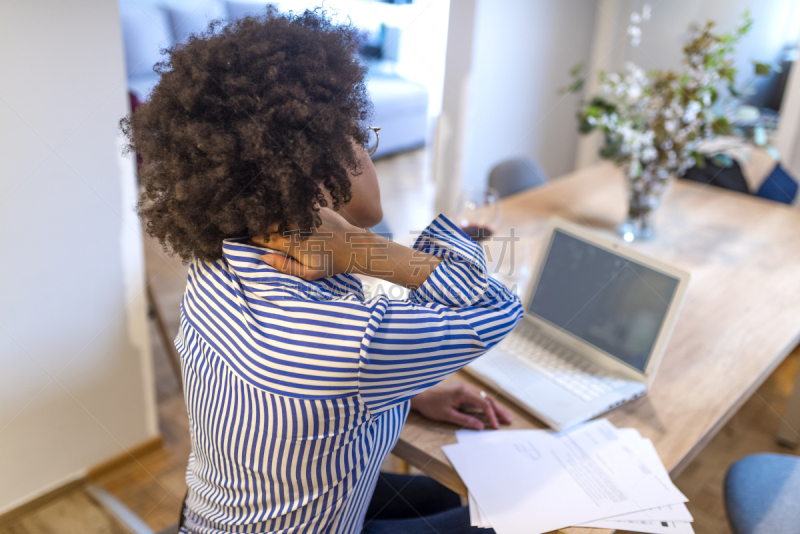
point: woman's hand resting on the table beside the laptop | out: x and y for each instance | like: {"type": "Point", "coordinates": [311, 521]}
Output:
{"type": "Point", "coordinates": [444, 403]}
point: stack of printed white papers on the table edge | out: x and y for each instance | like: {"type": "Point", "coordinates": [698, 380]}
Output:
{"type": "Point", "coordinates": [596, 475]}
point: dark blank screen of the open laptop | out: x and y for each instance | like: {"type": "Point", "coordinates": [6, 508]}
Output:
{"type": "Point", "coordinates": [609, 301]}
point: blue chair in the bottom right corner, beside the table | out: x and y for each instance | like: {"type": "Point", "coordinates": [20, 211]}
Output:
{"type": "Point", "coordinates": [762, 495]}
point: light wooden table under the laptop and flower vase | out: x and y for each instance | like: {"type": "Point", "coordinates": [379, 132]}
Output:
{"type": "Point", "coordinates": [740, 319]}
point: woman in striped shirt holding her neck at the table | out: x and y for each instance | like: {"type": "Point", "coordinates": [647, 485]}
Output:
{"type": "Point", "coordinates": [254, 170]}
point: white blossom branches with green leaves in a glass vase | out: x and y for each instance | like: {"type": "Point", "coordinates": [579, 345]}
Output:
{"type": "Point", "coordinates": [652, 122]}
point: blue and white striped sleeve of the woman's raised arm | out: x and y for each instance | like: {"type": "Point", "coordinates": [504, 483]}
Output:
{"type": "Point", "coordinates": [454, 317]}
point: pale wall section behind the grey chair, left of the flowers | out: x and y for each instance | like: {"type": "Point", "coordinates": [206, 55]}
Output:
{"type": "Point", "coordinates": [521, 53]}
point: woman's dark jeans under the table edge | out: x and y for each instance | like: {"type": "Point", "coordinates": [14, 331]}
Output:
{"type": "Point", "coordinates": [415, 504]}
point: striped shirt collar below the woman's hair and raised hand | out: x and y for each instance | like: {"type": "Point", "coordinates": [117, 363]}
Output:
{"type": "Point", "coordinates": [244, 260]}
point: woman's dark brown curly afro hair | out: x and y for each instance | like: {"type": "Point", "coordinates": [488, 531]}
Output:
{"type": "Point", "coordinates": [248, 122]}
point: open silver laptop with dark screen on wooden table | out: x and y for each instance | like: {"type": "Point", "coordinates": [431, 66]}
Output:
{"type": "Point", "coordinates": [598, 316]}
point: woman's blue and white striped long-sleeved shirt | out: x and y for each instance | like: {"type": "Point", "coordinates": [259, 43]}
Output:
{"type": "Point", "coordinates": [297, 391]}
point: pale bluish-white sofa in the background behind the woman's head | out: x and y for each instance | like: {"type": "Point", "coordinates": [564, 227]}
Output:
{"type": "Point", "coordinates": [400, 105]}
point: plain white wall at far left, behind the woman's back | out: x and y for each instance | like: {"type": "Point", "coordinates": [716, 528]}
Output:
{"type": "Point", "coordinates": [76, 384]}
